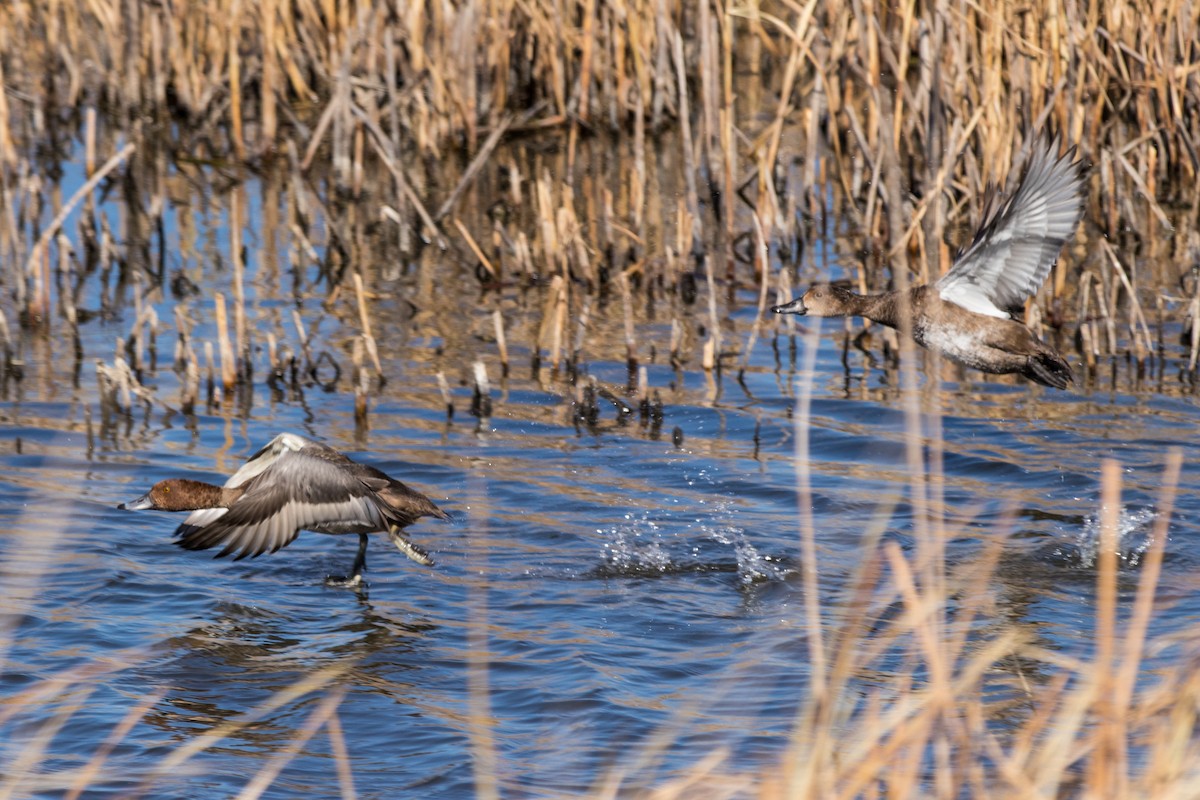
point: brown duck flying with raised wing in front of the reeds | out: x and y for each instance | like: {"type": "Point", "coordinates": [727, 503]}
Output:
{"type": "Point", "coordinates": [970, 315]}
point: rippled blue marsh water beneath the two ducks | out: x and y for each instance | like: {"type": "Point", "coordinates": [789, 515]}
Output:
{"type": "Point", "coordinates": [608, 600]}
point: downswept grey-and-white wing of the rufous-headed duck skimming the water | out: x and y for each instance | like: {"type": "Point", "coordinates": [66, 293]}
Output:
{"type": "Point", "coordinates": [290, 490]}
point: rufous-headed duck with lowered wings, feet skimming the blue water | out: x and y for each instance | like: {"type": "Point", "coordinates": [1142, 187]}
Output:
{"type": "Point", "coordinates": [292, 485]}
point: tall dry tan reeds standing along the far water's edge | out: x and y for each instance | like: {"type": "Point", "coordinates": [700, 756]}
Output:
{"type": "Point", "coordinates": [399, 112]}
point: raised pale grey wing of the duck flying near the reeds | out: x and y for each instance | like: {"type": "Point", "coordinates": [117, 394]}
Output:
{"type": "Point", "coordinates": [1021, 238]}
